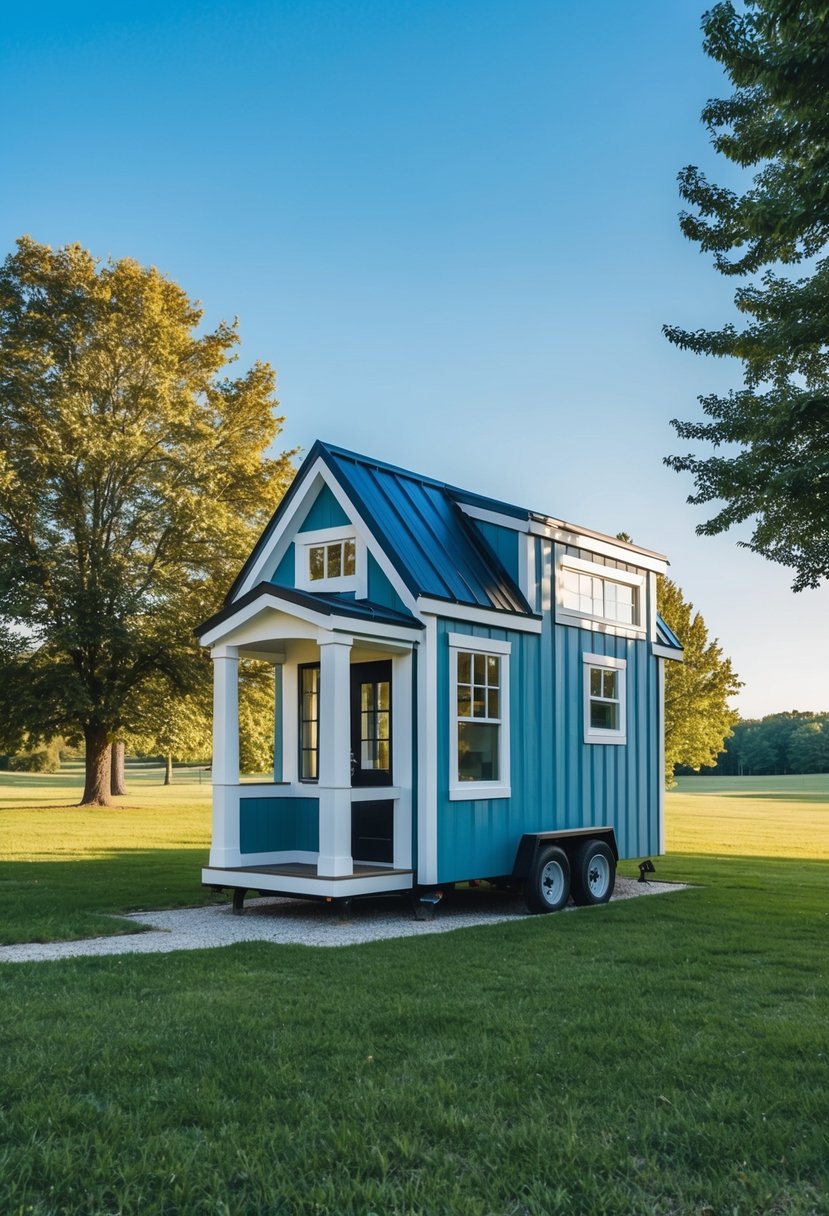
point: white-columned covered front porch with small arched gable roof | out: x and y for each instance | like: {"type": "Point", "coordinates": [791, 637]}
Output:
{"type": "Point", "coordinates": [337, 818]}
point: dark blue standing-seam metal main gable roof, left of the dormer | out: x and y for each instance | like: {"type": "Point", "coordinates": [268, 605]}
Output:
{"type": "Point", "coordinates": [432, 544]}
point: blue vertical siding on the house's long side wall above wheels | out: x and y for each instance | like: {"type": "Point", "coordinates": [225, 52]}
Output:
{"type": "Point", "coordinates": [557, 780]}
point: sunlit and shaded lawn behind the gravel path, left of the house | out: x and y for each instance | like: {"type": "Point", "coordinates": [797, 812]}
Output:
{"type": "Point", "coordinates": [67, 871]}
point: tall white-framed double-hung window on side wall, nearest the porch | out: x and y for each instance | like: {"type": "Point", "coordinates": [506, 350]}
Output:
{"type": "Point", "coordinates": [480, 717]}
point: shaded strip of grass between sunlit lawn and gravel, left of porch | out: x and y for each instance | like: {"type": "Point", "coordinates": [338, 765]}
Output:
{"type": "Point", "coordinates": [67, 900]}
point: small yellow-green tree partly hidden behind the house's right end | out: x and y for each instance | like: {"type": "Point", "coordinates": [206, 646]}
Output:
{"type": "Point", "coordinates": [698, 717]}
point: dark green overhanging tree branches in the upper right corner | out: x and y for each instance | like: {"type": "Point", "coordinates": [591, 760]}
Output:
{"type": "Point", "coordinates": [771, 437]}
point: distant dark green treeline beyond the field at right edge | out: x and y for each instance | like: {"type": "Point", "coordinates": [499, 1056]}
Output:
{"type": "Point", "coordinates": [794, 742]}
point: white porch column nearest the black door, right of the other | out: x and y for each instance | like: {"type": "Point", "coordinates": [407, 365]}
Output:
{"type": "Point", "coordinates": [335, 785]}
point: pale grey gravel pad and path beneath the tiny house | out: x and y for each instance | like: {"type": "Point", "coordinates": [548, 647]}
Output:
{"type": "Point", "coordinates": [304, 924]}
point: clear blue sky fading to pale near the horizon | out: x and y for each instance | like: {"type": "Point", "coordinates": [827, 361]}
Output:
{"type": "Point", "coordinates": [452, 227]}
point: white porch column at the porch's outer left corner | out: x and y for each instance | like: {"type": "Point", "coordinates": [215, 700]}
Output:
{"type": "Point", "coordinates": [225, 847]}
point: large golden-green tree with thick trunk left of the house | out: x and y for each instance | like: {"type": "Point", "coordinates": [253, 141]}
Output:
{"type": "Point", "coordinates": [134, 475]}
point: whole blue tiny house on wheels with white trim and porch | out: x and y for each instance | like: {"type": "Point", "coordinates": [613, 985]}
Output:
{"type": "Point", "coordinates": [464, 690]}
